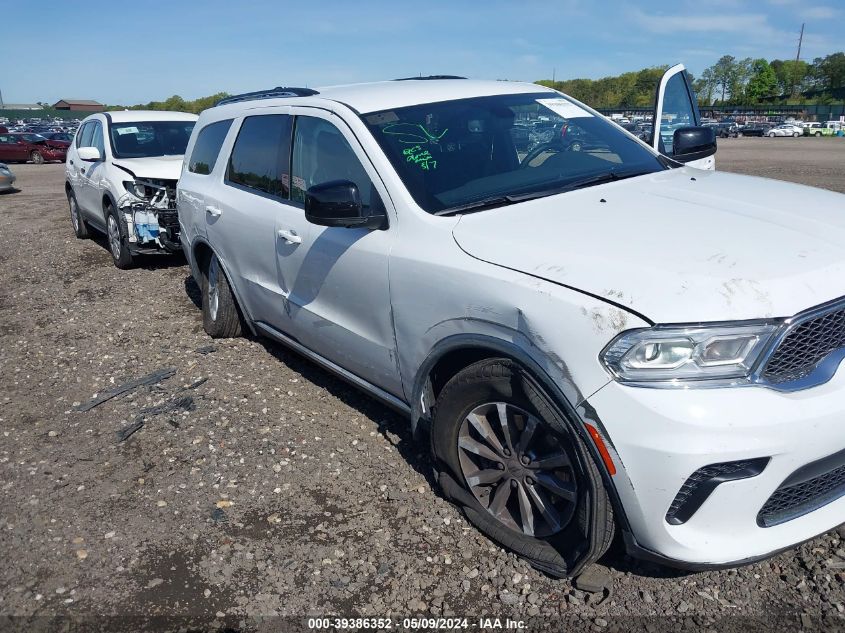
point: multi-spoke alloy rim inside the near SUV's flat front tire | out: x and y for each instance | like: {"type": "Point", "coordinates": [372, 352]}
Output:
{"type": "Point", "coordinates": [517, 468]}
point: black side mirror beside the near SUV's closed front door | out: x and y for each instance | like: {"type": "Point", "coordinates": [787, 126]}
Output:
{"type": "Point", "coordinates": [338, 203]}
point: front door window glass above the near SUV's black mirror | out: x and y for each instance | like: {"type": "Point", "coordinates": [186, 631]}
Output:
{"type": "Point", "coordinates": [321, 154]}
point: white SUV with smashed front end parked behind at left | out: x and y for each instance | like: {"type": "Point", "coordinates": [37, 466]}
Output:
{"type": "Point", "coordinates": [121, 174]}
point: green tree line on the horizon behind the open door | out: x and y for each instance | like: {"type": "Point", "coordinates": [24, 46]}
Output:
{"type": "Point", "coordinates": [729, 81]}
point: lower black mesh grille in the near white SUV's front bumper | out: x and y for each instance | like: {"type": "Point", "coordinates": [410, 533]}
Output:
{"type": "Point", "coordinates": [791, 501]}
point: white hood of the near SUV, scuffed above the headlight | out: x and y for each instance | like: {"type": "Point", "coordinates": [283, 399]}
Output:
{"type": "Point", "coordinates": [678, 246]}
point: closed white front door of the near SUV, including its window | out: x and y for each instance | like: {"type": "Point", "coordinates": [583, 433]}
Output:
{"type": "Point", "coordinates": [340, 294]}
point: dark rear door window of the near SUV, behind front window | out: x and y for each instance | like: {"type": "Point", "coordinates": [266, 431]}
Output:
{"type": "Point", "coordinates": [261, 156]}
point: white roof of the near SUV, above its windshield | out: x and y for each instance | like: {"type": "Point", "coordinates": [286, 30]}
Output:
{"type": "Point", "coordinates": [383, 95]}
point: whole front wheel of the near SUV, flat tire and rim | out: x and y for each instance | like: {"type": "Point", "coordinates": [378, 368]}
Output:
{"type": "Point", "coordinates": [526, 478]}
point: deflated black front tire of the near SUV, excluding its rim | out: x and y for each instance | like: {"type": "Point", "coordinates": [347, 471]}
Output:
{"type": "Point", "coordinates": [590, 527]}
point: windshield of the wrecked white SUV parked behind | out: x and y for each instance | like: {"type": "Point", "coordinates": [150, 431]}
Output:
{"type": "Point", "coordinates": [155, 138]}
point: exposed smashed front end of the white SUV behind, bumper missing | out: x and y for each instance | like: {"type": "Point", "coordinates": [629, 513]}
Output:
{"type": "Point", "coordinates": [149, 209]}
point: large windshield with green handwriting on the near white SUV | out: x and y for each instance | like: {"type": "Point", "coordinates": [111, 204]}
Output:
{"type": "Point", "coordinates": [454, 153]}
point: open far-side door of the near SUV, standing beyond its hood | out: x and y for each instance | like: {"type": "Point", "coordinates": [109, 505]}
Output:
{"type": "Point", "coordinates": [676, 106]}
